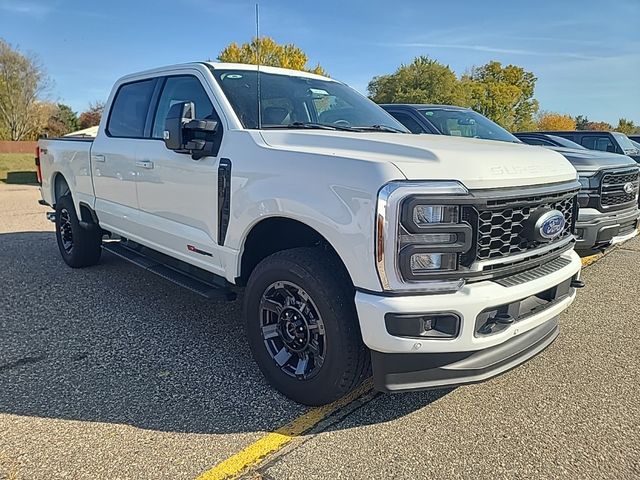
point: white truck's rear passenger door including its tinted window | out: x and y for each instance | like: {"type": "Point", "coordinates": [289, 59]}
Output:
{"type": "Point", "coordinates": [113, 156]}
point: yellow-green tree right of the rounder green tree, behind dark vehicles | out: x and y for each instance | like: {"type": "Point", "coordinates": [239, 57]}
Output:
{"type": "Point", "coordinates": [504, 94]}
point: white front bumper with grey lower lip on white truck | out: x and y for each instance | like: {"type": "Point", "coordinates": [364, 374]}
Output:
{"type": "Point", "coordinates": [402, 363]}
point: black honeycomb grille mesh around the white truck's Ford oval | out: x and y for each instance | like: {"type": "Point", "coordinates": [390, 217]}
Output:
{"type": "Point", "coordinates": [500, 232]}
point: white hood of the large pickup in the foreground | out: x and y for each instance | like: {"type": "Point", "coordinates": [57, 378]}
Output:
{"type": "Point", "coordinates": [478, 164]}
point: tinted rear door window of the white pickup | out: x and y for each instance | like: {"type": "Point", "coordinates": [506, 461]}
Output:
{"type": "Point", "coordinates": [129, 110]}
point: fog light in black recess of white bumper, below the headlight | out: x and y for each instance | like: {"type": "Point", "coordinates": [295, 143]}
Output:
{"type": "Point", "coordinates": [431, 325]}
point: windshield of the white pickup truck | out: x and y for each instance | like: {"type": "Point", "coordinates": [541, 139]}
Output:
{"type": "Point", "coordinates": [299, 102]}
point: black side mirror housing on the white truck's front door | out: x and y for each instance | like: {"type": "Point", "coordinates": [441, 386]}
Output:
{"type": "Point", "coordinates": [184, 134]}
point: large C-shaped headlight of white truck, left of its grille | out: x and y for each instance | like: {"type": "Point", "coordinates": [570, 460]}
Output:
{"type": "Point", "coordinates": [421, 235]}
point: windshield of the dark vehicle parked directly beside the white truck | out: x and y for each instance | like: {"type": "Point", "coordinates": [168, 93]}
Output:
{"type": "Point", "coordinates": [466, 123]}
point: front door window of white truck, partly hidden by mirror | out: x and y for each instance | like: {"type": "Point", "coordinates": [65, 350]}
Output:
{"type": "Point", "coordinates": [186, 88]}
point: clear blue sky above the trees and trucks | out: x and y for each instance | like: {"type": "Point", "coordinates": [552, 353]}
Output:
{"type": "Point", "coordinates": [586, 54]}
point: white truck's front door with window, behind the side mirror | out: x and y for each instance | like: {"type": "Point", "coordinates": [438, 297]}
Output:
{"type": "Point", "coordinates": [178, 196]}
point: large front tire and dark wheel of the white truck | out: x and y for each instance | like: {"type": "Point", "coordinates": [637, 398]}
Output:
{"type": "Point", "coordinates": [321, 302]}
